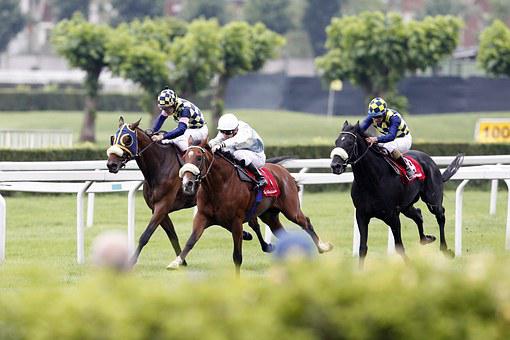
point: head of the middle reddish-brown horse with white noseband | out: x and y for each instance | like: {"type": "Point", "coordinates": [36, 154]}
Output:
{"type": "Point", "coordinates": [196, 167]}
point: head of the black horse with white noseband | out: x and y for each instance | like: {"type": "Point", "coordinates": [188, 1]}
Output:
{"type": "Point", "coordinates": [346, 148]}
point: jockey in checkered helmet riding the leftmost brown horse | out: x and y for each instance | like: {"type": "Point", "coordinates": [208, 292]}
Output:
{"type": "Point", "coordinates": [190, 120]}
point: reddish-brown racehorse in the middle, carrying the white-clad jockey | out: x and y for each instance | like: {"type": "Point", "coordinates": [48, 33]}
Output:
{"type": "Point", "coordinates": [224, 200]}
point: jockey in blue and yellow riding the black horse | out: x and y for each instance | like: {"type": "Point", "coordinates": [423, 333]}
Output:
{"type": "Point", "coordinates": [395, 135]}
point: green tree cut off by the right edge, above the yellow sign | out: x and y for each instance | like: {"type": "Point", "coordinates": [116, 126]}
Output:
{"type": "Point", "coordinates": [494, 51]}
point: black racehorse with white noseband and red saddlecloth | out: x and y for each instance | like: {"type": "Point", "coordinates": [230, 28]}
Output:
{"type": "Point", "coordinates": [378, 191]}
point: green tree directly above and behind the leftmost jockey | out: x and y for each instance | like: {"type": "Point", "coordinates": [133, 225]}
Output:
{"type": "Point", "coordinates": [139, 51]}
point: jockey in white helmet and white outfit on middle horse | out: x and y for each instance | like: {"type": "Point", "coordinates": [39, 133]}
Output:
{"type": "Point", "coordinates": [243, 142]}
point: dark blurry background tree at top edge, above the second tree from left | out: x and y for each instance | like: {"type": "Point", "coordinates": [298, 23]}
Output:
{"type": "Point", "coordinates": [128, 10]}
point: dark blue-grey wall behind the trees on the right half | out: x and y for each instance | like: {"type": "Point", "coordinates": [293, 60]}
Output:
{"type": "Point", "coordinates": [425, 94]}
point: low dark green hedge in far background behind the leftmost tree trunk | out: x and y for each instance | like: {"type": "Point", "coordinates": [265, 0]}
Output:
{"type": "Point", "coordinates": [74, 100]}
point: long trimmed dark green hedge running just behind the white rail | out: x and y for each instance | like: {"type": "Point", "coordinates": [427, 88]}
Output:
{"type": "Point", "coordinates": [297, 151]}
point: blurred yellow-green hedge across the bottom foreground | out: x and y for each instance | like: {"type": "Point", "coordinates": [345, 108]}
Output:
{"type": "Point", "coordinates": [305, 301]}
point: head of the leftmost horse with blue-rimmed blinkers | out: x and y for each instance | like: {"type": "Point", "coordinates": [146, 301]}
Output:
{"type": "Point", "coordinates": [124, 146]}
